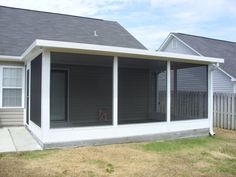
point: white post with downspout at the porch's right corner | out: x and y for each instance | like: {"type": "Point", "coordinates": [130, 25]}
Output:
{"type": "Point", "coordinates": [210, 98]}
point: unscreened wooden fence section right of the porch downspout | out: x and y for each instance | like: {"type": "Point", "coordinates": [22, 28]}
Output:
{"type": "Point", "coordinates": [224, 110]}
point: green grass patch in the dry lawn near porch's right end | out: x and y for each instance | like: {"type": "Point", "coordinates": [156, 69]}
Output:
{"type": "Point", "coordinates": [173, 146]}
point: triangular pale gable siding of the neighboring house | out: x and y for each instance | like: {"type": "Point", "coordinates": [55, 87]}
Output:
{"type": "Point", "coordinates": [175, 46]}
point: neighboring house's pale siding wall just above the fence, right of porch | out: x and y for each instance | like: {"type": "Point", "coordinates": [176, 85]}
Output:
{"type": "Point", "coordinates": [222, 82]}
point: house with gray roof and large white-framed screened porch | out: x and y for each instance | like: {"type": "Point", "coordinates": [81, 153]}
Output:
{"type": "Point", "coordinates": [75, 80]}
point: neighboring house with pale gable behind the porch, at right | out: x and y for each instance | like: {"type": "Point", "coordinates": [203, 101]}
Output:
{"type": "Point", "coordinates": [225, 75]}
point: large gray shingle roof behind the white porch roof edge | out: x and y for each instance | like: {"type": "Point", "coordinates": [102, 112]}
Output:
{"type": "Point", "coordinates": [20, 27]}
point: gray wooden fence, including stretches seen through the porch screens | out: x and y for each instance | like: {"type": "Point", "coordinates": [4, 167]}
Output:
{"type": "Point", "coordinates": [195, 104]}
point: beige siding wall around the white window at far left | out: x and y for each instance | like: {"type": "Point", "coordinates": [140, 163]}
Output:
{"type": "Point", "coordinates": [11, 116]}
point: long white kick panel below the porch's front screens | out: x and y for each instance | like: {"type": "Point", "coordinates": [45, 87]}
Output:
{"type": "Point", "coordinates": [121, 131]}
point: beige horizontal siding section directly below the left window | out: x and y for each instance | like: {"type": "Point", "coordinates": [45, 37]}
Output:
{"type": "Point", "coordinates": [11, 117]}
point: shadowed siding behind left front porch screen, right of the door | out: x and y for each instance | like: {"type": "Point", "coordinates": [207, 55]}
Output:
{"type": "Point", "coordinates": [90, 90]}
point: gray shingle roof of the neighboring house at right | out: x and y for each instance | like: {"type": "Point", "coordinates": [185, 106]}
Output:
{"type": "Point", "coordinates": [213, 48]}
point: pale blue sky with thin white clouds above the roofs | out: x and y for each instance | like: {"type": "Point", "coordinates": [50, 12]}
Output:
{"type": "Point", "coordinates": [150, 21]}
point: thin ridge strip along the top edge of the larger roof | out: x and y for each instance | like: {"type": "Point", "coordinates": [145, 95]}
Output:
{"type": "Point", "coordinates": [53, 13]}
